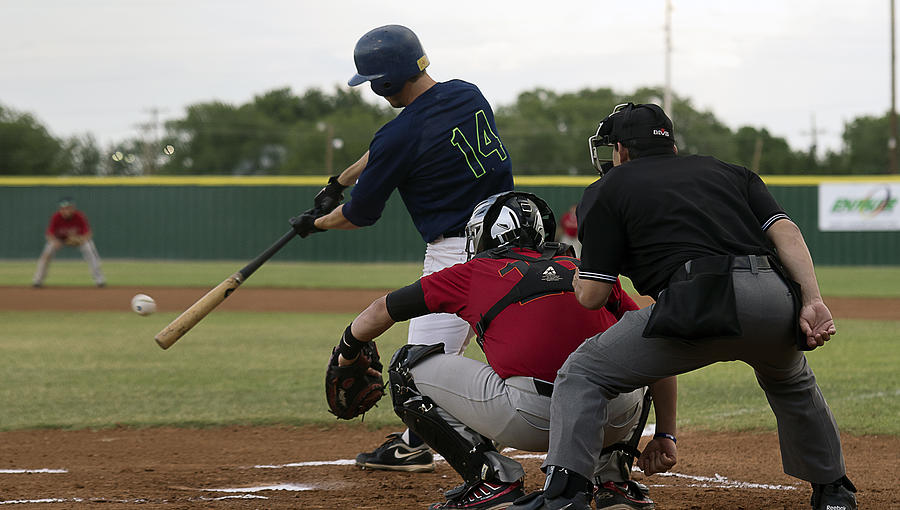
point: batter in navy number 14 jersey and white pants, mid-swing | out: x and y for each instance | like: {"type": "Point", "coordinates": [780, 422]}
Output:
{"type": "Point", "coordinates": [443, 154]}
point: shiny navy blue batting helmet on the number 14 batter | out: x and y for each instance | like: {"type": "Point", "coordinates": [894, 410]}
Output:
{"type": "Point", "coordinates": [388, 56]}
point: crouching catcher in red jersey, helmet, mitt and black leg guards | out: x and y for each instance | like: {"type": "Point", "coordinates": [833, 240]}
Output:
{"type": "Point", "coordinates": [527, 322]}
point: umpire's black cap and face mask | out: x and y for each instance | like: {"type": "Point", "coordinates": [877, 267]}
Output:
{"type": "Point", "coordinates": [628, 121]}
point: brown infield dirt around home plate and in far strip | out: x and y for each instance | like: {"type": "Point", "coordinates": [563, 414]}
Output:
{"type": "Point", "coordinates": [169, 468]}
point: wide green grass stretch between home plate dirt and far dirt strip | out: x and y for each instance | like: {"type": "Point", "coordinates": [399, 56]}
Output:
{"type": "Point", "coordinates": [101, 369]}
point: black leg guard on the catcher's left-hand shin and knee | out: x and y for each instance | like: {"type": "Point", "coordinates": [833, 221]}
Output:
{"type": "Point", "coordinates": [421, 415]}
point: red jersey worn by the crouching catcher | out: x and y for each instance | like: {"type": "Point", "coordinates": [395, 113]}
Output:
{"type": "Point", "coordinates": [531, 339]}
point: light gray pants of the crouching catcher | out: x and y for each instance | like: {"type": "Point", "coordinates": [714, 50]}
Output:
{"type": "Point", "coordinates": [475, 400]}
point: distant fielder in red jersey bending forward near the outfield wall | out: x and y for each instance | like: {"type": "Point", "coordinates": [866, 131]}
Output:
{"type": "Point", "coordinates": [68, 227]}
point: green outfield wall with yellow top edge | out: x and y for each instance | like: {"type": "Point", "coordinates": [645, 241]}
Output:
{"type": "Point", "coordinates": [234, 218]}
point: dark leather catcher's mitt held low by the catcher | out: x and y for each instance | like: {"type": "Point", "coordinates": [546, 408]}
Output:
{"type": "Point", "coordinates": [356, 388]}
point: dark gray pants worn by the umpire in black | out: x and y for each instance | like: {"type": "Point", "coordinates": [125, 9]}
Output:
{"type": "Point", "coordinates": [621, 359]}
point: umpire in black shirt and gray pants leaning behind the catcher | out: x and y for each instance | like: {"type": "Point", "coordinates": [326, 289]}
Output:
{"type": "Point", "coordinates": [734, 280]}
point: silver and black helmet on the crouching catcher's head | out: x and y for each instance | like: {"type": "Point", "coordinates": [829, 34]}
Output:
{"type": "Point", "coordinates": [512, 218]}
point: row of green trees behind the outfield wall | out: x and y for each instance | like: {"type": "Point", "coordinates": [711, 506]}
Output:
{"type": "Point", "coordinates": [282, 133]}
